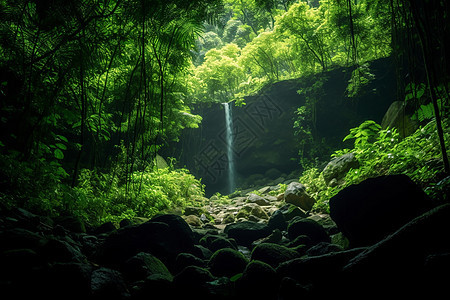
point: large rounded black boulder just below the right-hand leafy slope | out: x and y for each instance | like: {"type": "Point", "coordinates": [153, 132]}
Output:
{"type": "Point", "coordinates": [368, 211]}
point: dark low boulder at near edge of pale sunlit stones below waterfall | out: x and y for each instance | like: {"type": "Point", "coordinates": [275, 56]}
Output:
{"type": "Point", "coordinates": [247, 231]}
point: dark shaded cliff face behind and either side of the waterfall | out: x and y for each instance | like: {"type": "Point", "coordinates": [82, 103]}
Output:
{"type": "Point", "coordinates": [265, 145]}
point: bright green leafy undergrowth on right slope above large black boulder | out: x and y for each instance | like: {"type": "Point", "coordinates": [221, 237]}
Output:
{"type": "Point", "coordinates": [382, 152]}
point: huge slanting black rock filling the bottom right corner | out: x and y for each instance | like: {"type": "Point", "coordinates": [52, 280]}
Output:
{"type": "Point", "coordinates": [399, 264]}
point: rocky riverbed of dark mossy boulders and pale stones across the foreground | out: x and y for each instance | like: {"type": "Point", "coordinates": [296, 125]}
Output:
{"type": "Point", "coordinates": [382, 237]}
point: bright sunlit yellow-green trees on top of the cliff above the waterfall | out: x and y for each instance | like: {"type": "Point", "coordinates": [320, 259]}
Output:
{"type": "Point", "coordinates": [287, 39]}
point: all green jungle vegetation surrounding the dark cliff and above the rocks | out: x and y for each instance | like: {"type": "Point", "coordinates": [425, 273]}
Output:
{"type": "Point", "coordinates": [92, 90]}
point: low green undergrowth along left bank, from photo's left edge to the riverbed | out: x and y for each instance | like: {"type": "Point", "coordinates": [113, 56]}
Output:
{"type": "Point", "coordinates": [98, 197]}
